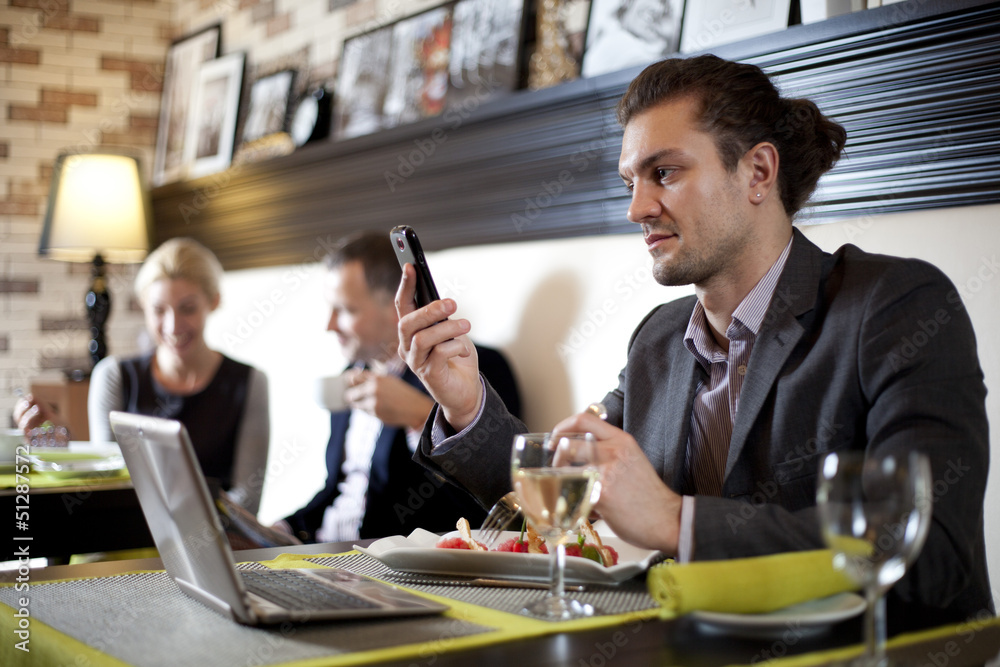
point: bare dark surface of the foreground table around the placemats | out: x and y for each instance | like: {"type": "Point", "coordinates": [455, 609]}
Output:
{"type": "Point", "coordinates": [655, 642]}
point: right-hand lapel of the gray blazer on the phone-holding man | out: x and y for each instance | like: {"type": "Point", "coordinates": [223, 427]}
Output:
{"type": "Point", "coordinates": [794, 296]}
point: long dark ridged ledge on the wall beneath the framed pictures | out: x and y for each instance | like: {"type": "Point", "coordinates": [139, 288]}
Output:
{"type": "Point", "coordinates": [917, 84]}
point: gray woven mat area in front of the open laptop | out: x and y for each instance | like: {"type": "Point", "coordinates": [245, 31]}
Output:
{"type": "Point", "coordinates": [144, 620]}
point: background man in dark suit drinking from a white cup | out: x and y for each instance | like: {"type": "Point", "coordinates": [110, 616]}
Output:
{"type": "Point", "coordinates": [373, 486]}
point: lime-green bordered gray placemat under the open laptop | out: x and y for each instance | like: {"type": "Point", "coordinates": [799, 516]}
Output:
{"type": "Point", "coordinates": [142, 619]}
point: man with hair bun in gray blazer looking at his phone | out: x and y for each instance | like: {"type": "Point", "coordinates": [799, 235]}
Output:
{"type": "Point", "coordinates": [729, 398]}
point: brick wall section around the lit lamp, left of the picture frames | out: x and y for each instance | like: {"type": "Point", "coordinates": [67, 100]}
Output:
{"type": "Point", "coordinates": [74, 74]}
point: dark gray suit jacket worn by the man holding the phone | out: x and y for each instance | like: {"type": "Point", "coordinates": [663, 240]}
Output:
{"type": "Point", "coordinates": [857, 351]}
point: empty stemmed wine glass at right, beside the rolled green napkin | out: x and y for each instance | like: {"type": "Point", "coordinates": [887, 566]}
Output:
{"type": "Point", "coordinates": [874, 514]}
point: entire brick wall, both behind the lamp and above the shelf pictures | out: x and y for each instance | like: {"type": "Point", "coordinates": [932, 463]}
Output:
{"type": "Point", "coordinates": [88, 73]}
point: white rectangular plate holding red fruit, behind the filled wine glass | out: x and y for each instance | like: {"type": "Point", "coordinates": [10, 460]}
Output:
{"type": "Point", "coordinates": [417, 553]}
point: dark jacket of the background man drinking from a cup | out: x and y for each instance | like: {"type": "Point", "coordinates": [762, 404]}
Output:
{"type": "Point", "coordinates": [402, 494]}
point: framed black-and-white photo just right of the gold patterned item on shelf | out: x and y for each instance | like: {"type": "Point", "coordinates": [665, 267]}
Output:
{"type": "Point", "coordinates": [625, 33]}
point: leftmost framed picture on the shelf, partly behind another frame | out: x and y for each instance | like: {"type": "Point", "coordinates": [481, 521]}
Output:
{"type": "Point", "coordinates": [184, 59]}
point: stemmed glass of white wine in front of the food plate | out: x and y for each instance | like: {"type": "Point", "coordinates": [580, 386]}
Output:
{"type": "Point", "coordinates": [556, 481]}
